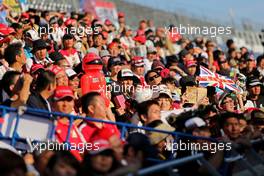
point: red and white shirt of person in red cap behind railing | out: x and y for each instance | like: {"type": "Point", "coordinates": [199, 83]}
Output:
{"type": "Point", "coordinates": [75, 137]}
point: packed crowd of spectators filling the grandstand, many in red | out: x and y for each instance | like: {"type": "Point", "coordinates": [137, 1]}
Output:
{"type": "Point", "coordinates": [56, 61]}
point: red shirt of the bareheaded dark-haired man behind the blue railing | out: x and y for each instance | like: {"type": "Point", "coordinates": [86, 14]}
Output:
{"type": "Point", "coordinates": [90, 131]}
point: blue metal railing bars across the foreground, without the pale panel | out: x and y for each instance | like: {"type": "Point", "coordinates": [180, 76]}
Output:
{"type": "Point", "coordinates": [15, 138]}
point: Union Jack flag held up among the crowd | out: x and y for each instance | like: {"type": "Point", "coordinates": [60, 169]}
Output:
{"type": "Point", "coordinates": [209, 78]}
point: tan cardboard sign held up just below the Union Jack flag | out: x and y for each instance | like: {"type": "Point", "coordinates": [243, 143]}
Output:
{"type": "Point", "coordinates": [195, 94]}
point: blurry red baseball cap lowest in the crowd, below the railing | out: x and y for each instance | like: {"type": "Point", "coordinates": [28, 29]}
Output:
{"type": "Point", "coordinates": [99, 146]}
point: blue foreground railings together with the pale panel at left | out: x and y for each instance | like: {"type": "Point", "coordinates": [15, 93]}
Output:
{"type": "Point", "coordinates": [16, 130]}
